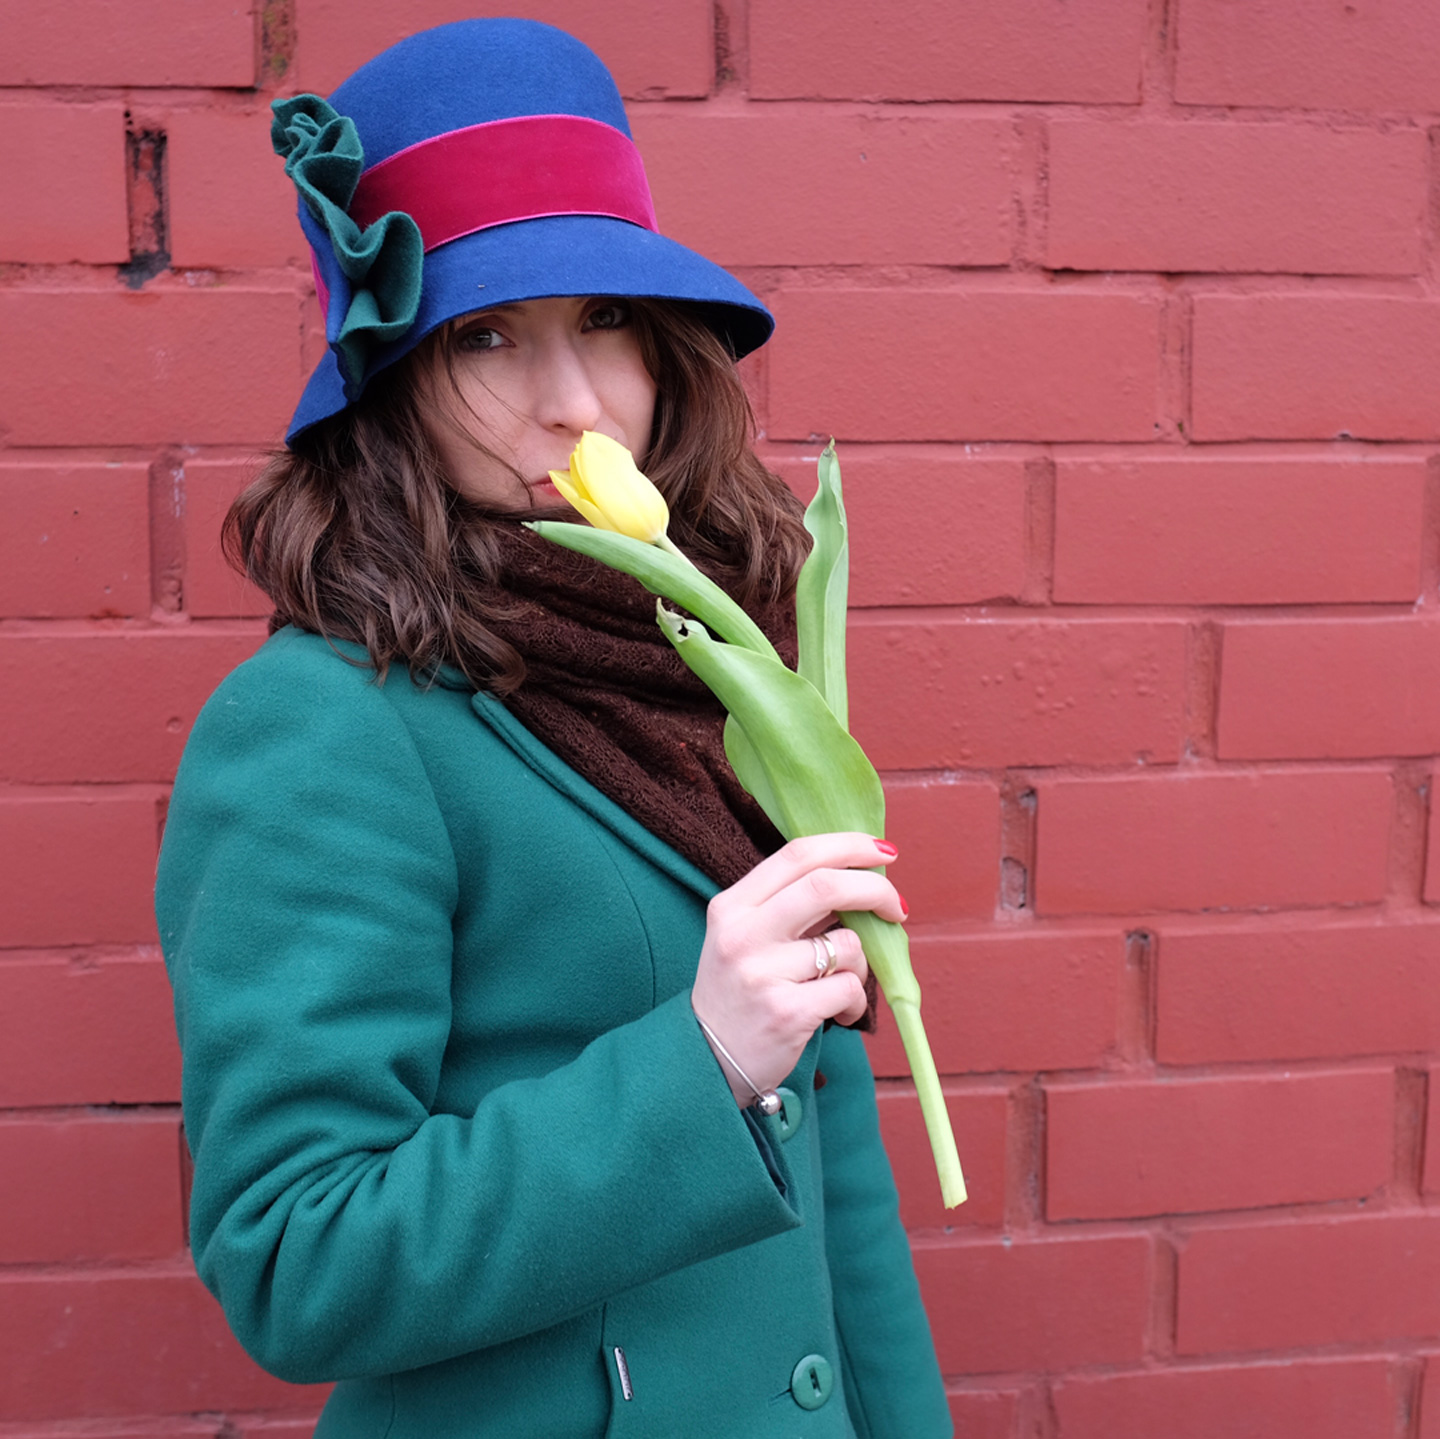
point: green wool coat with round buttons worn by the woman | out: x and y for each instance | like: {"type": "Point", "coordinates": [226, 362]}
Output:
{"type": "Point", "coordinates": [459, 1140]}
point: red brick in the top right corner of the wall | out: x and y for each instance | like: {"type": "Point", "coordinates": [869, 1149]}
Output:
{"type": "Point", "coordinates": [1318, 57]}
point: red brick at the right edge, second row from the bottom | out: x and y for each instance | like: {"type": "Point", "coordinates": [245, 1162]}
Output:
{"type": "Point", "coordinates": [1310, 1283]}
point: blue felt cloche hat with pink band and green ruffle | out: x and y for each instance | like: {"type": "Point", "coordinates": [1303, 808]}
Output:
{"type": "Point", "coordinates": [470, 166]}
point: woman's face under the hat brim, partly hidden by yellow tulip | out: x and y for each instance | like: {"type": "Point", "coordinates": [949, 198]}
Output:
{"type": "Point", "coordinates": [532, 378]}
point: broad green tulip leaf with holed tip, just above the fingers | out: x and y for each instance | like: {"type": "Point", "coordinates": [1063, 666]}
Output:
{"type": "Point", "coordinates": [816, 776]}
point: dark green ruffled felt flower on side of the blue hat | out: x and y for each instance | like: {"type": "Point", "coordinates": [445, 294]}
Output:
{"type": "Point", "coordinates": [384, 261]}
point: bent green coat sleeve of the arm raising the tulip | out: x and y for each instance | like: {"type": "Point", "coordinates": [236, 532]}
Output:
{"type": "Point", "coordinates": [306, 898]}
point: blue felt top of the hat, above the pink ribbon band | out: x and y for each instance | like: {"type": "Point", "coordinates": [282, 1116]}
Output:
{"type": "Point", "coordinates": [473, 73]}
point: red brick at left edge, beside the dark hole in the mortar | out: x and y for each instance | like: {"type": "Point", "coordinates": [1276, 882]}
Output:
{"type": "Point", "coordinates": [84, 218]}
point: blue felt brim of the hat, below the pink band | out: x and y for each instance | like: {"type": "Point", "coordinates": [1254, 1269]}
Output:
{"type": "Point", "coordinates": [548, 257]}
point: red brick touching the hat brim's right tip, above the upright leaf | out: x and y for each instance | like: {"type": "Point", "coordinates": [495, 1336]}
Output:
{"type": "Point", "coordinates": [964, 365]}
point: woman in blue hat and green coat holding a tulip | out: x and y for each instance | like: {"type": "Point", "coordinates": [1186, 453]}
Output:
{"type": "Point", "coordinates": [482, 957]}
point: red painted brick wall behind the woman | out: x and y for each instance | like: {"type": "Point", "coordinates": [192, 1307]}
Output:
{"type": "Point", "coordinates": [1127, 319]}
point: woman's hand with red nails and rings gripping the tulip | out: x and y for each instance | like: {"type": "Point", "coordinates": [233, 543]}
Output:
{"type": "Point", "coordinates": [758, 986]}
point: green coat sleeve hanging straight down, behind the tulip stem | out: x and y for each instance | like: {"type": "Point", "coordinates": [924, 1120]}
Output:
{"type": "Point", "coordinates": [894, 1384]}
